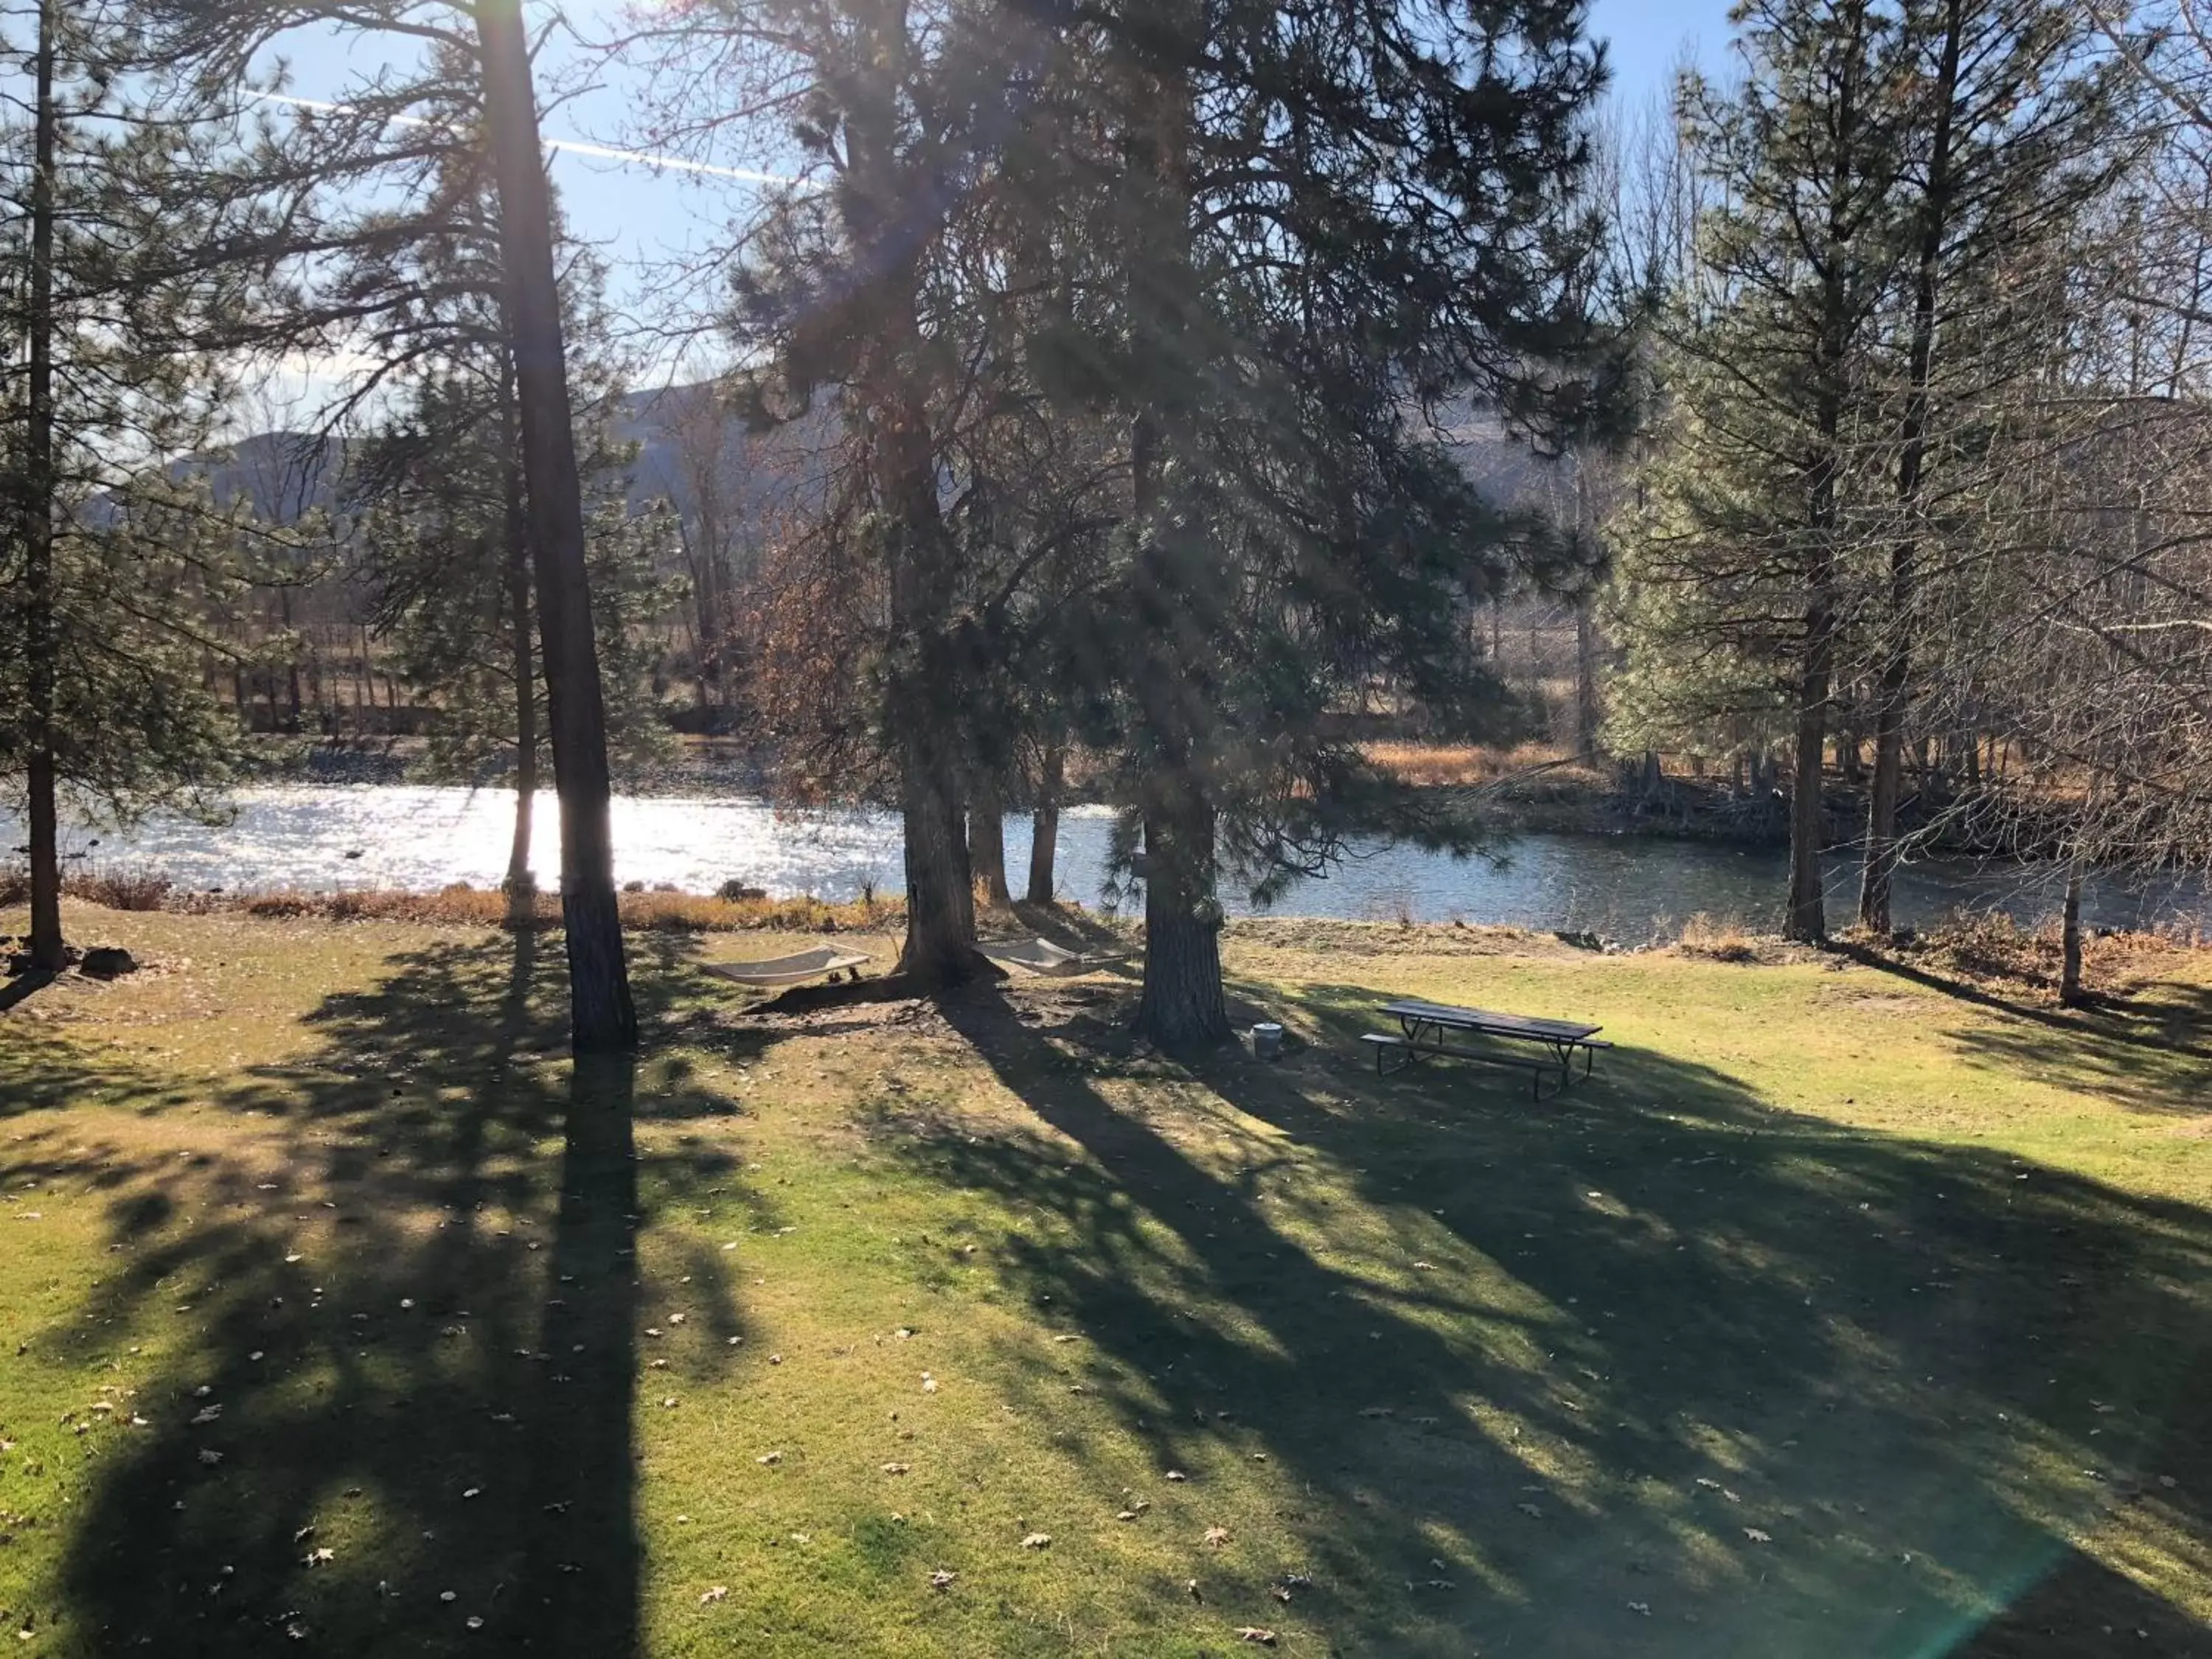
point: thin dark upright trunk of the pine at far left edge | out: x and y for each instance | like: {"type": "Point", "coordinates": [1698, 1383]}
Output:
{"type": "Point", "coordinates": [41, 645]}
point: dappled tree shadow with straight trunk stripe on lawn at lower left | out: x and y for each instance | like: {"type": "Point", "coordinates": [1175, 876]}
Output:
{"type": "Point", "coordinates": [382, 1357]}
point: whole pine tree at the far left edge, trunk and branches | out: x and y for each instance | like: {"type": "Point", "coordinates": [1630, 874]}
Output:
{"type": "Point", "coordinates": [114, 309]}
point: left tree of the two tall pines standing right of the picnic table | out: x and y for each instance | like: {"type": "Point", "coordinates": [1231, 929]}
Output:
{"type": "Point", "coordinates": [1738, 567]}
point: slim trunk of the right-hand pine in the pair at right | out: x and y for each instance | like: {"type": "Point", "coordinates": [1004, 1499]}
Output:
{"type": "Point", "coordinates": [1879, 877]}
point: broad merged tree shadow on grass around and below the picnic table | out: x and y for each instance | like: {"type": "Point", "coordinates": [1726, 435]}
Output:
{"type": "Point", "coordinates": [1653, 1368]}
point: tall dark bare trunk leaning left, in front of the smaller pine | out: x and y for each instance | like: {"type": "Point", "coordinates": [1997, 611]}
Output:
{"type": "Point", "coordinates": [601, 1012]}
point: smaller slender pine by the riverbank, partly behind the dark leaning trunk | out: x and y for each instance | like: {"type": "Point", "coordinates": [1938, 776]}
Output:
{"type": "Point", "coordinates": [441, 494]}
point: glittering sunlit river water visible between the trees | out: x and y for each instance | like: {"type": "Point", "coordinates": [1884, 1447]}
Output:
{"type": "Point", "coordinates": [1627, 888]}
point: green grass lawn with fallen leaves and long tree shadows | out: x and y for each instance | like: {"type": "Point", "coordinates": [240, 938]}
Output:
{"type": "Point", "coordinates": [1839, 1315]}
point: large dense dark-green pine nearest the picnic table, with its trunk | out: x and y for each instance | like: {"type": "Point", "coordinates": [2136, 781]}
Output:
{"type": "Point", "coordinates": [1315, 227]}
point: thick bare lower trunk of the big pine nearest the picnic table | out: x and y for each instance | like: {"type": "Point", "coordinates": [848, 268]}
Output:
{"type": "Point", "coordinates": [1182, 928]}
